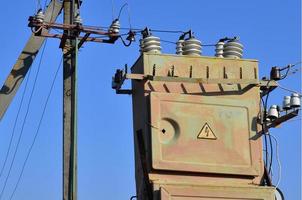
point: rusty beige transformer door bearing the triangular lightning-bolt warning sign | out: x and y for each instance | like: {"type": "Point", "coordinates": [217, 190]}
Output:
{"type": "Point", "coordinates": [204, 134]}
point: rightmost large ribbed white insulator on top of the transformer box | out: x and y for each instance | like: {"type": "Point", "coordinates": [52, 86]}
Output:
{"type": "Point", "coordinates": [233, 49]}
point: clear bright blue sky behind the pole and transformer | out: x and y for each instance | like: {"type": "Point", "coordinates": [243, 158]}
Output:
{"type": "Point", "coordinates": [270, 31]}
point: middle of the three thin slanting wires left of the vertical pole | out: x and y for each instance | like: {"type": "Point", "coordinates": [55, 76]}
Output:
{"type": "Point", "coordinates": [24, 121]}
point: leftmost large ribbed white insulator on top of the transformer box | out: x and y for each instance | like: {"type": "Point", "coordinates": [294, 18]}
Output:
{"type": "Point", "coordinates": [150, 44]}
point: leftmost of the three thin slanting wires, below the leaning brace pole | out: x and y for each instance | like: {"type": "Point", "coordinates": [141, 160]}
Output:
{"type": "Point", "coordinates": [15, 124]}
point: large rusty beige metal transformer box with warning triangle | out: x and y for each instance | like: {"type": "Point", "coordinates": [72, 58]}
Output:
{"type": "Point", "coordinates": [196, 120]}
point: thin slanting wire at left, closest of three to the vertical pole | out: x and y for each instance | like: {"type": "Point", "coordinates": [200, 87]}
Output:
{"type": "Point", "coordinates": [37, 131]}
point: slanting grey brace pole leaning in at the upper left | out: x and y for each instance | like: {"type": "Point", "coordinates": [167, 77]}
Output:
{"type": "Point", "coordinates": [25, 60]}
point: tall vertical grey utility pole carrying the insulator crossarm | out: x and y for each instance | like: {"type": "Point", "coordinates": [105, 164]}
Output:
{"type": "Point", "coordinates": [70, 53]}
